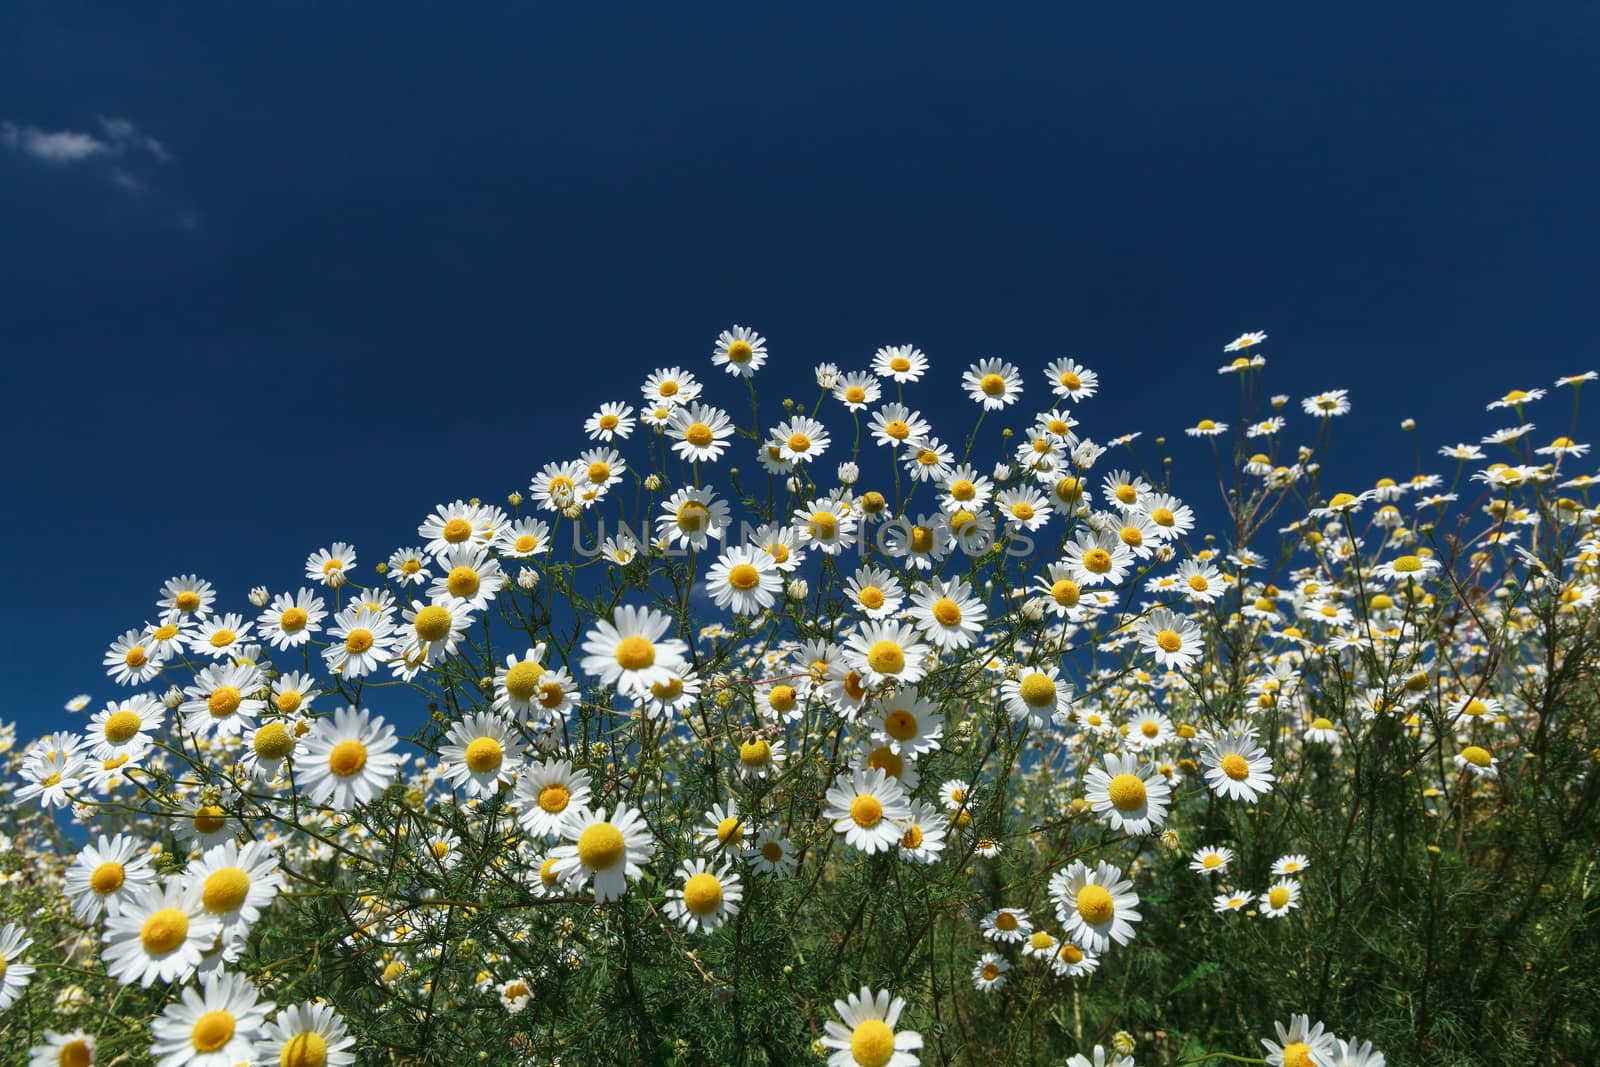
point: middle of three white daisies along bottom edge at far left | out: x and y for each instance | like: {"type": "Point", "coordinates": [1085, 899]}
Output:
{"type": "Point", "coordinates": [215, 1026]}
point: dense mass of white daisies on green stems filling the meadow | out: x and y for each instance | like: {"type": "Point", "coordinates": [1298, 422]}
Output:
{"type": "Point", "coordinates": [818, 732]}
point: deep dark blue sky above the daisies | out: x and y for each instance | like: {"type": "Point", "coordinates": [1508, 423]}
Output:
{"type": "Point", "coordinates": [390, 255]}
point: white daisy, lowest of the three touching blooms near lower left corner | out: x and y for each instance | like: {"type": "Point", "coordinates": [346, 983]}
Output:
{"type": "Point", "coordinates": [159, 935]}
